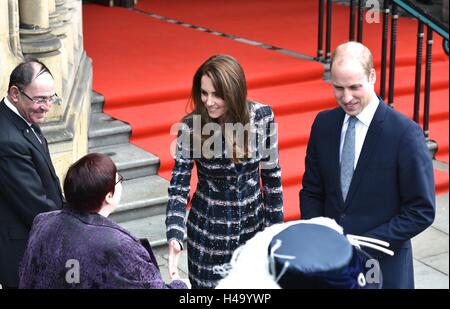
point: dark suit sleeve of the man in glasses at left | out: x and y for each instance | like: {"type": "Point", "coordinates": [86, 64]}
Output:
{"type": "Point", "coordinates": [21, 186]}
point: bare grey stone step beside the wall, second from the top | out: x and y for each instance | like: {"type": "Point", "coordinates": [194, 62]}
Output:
{"type": "Point", "coordinates": [105, 130]}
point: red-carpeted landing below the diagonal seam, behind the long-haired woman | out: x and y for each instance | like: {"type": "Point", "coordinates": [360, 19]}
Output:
{"type": "Point", "coordinates": [155, 61]}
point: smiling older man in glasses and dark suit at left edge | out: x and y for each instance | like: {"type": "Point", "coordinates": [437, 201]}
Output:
{"type": "Point", "coordinates": [28, 182]}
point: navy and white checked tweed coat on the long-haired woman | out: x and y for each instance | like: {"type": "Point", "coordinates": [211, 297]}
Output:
{"type": "Point", "coordinates": [232, 202]}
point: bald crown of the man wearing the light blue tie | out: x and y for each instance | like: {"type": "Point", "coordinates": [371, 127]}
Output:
{"type": "Point", "coordinates": [353, 52]}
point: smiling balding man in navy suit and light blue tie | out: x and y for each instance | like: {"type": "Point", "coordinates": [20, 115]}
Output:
{"type": "Point", "coordinates": [377, 180]}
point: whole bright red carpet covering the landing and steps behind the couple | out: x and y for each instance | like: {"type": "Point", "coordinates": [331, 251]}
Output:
{"type": "Point", "coordinates": [144, 68]}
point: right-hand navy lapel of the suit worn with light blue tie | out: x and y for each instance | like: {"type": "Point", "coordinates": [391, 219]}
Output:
{"type": "Point", "coordinates": [370, 143]}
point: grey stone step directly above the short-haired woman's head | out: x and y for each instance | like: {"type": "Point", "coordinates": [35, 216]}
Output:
{"type": "Point", "coordinates": [131, 160]}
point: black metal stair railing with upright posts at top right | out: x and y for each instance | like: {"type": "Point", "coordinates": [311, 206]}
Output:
{"type": "Point", "coordinates": [390, 8]}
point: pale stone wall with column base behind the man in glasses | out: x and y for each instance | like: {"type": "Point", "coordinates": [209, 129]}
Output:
{"type": "Point", "coordinates": [51, 30]}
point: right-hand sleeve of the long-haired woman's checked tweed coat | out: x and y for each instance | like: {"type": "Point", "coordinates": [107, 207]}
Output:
{"type": "Point", "coordinates": [271, 174]}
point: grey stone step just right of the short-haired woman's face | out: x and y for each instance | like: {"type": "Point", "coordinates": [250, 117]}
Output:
{"type": "Point", "coordinates": [141, 198]}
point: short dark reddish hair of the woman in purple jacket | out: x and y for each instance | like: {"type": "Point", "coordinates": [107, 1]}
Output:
{"type": "Point", "coordinates": [88, 181]}
